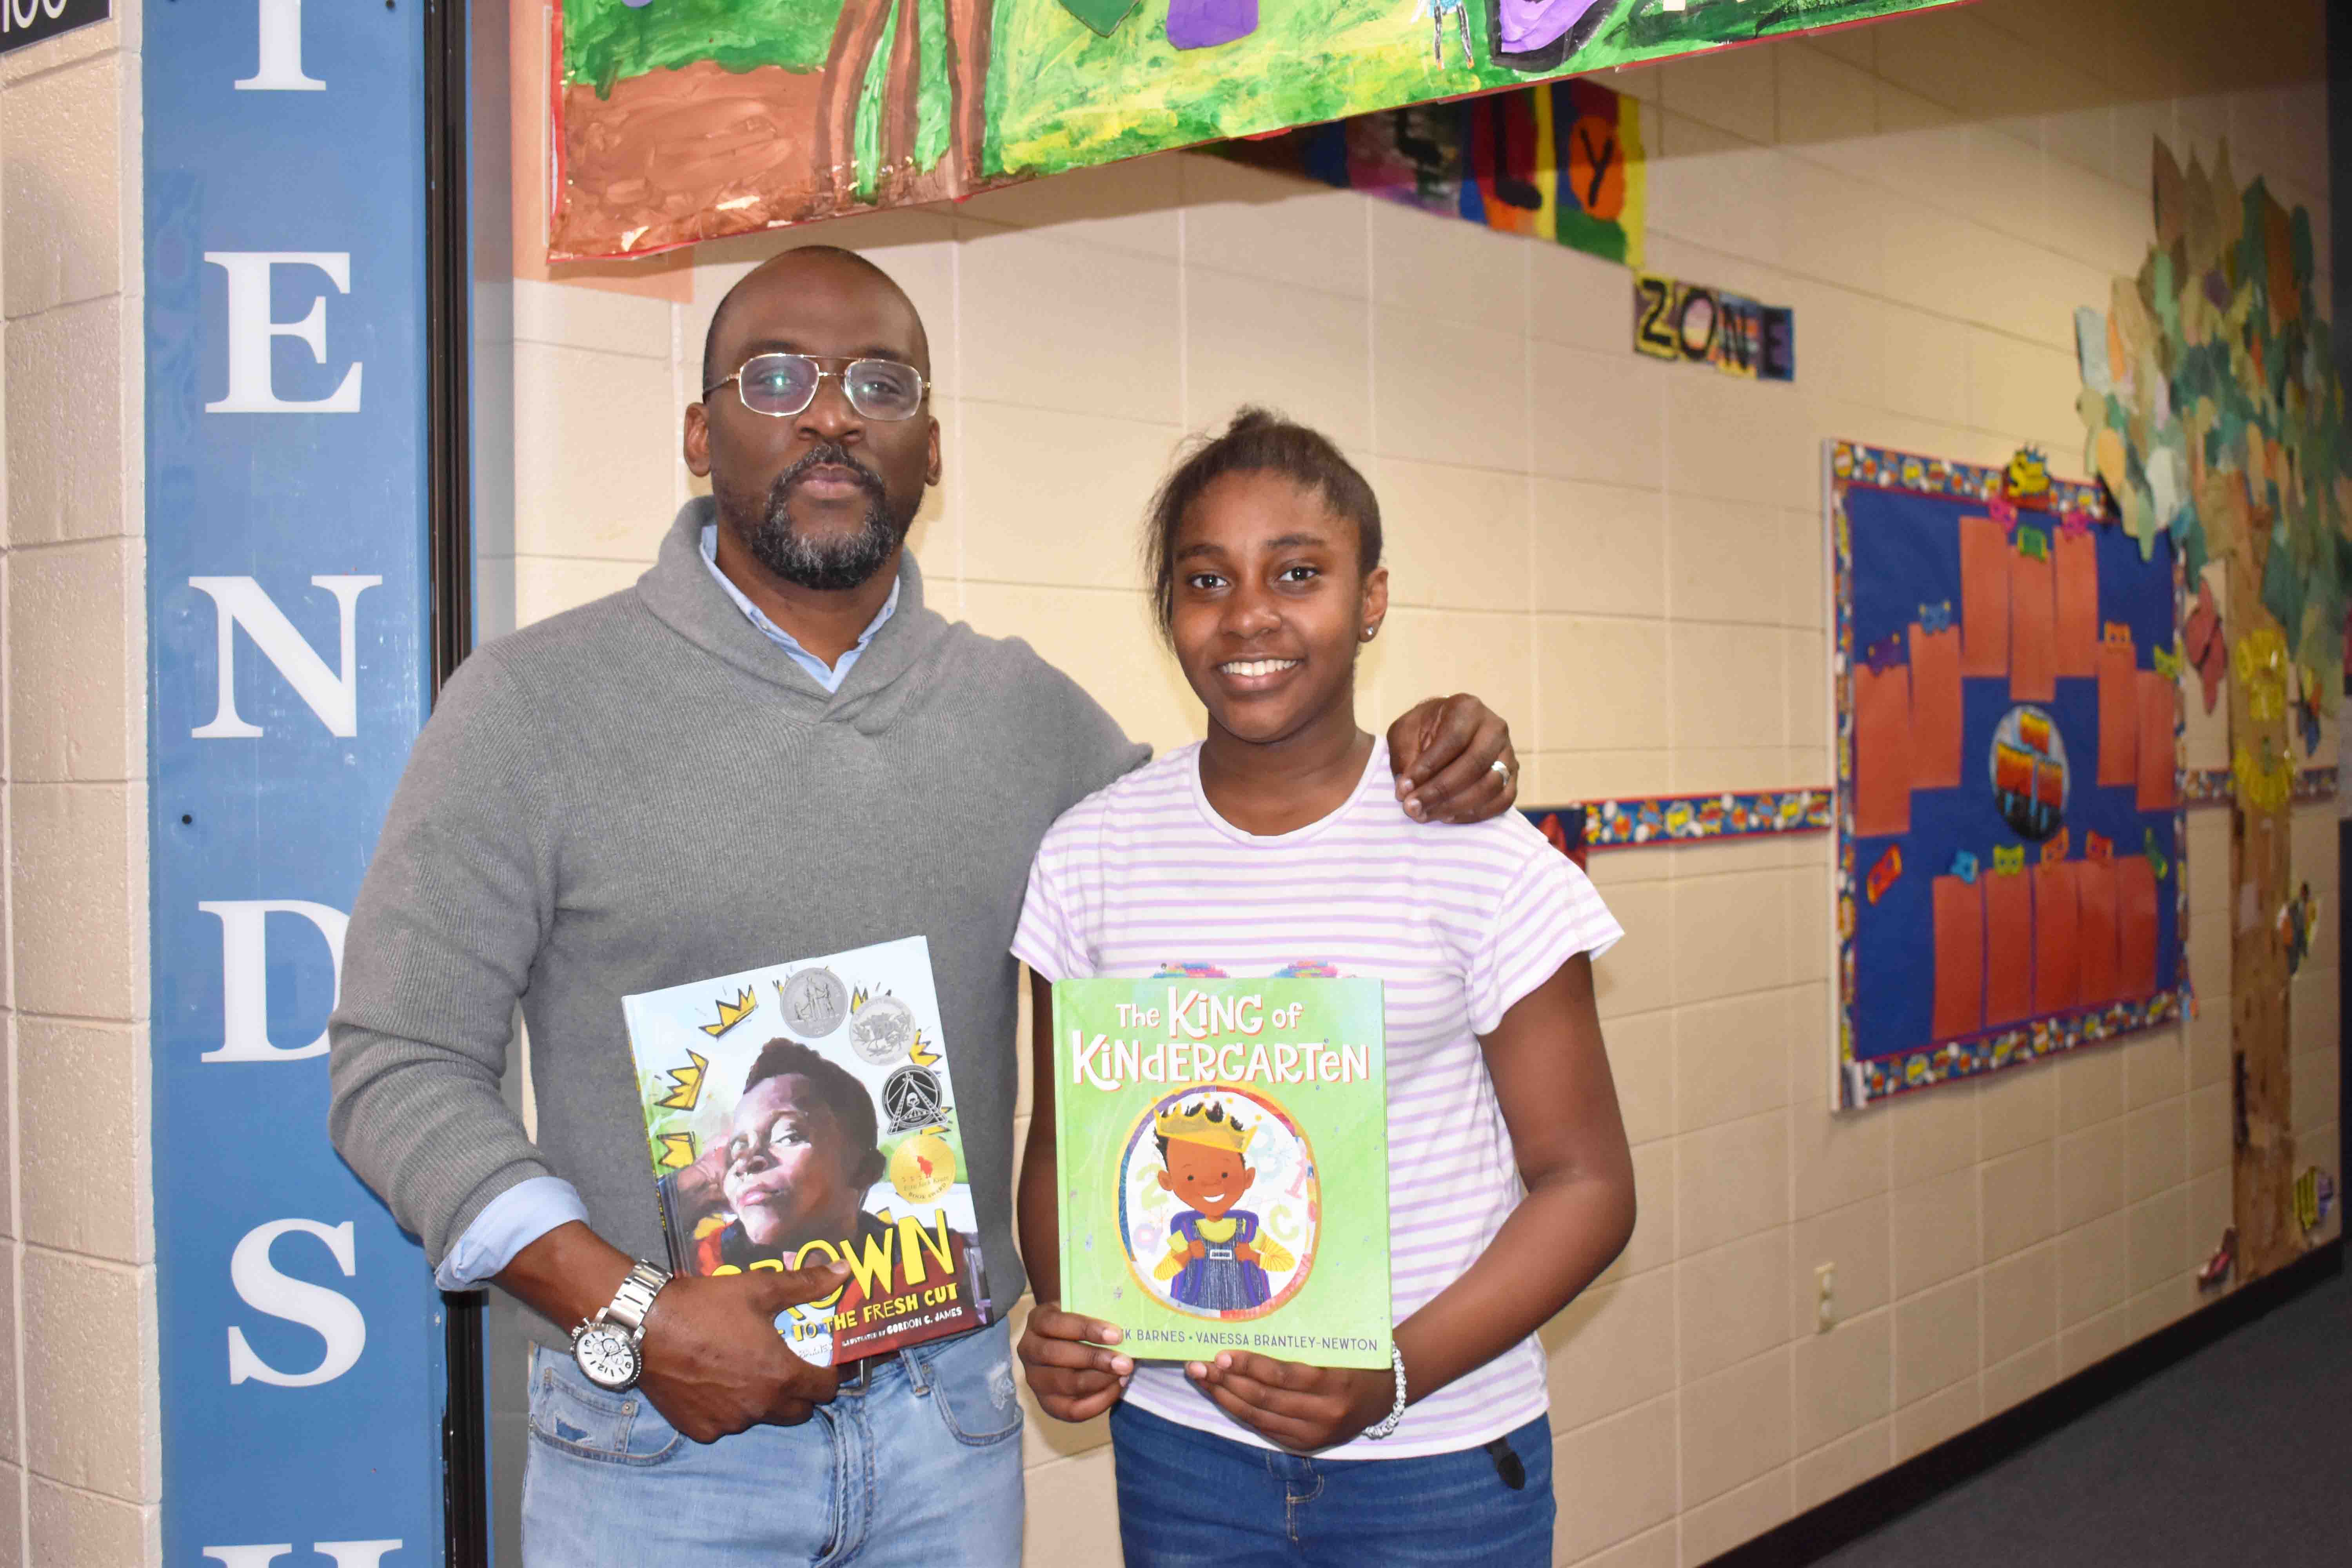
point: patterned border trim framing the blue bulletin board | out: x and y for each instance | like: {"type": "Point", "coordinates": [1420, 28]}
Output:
{"type": "Point", "coordinates": [1859, 1083]}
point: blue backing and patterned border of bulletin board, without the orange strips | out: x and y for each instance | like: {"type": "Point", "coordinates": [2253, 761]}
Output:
{"type": "Point", "coordinates": [1897, 551]}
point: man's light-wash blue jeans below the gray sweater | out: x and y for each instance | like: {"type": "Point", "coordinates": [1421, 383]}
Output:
{"type": "Point", "coordinates": [916, 1470]}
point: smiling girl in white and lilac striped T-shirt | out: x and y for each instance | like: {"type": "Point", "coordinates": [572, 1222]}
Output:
{"type": "Point", "coordinates": [1276, 845]}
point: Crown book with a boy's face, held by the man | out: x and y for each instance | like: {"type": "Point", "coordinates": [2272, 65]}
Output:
{"type": "Point", "coordinates": [801, 1115]}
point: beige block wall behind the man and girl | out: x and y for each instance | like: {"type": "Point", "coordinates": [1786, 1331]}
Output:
{"type": "Point", "coordinates": [1626, 561]}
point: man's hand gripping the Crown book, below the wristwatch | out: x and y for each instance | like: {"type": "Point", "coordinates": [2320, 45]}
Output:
{"type": "Point", "coordinates": [714, 1360]}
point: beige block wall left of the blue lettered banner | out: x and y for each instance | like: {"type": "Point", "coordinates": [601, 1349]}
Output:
{"type": "Point", "coordinates": [79, 1393]}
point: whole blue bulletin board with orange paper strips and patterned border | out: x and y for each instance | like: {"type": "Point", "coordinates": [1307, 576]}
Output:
{"type": "Point", "coordinates": [2010, 808]}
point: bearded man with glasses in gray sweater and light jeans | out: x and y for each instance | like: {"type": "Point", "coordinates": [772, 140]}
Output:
{"type": "Point", "coordinates": [768, 749]}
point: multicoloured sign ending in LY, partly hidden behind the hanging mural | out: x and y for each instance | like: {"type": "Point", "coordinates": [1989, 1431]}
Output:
{"type": "Point", "coordinates": [1556, 161]}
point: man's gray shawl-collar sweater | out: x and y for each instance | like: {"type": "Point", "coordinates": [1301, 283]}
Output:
{"type": "Point", "coordinates": [643, 793]}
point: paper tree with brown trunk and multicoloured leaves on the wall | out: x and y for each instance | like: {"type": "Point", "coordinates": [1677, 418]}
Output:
{"type": "Point", "coordinates": [2217, 417]}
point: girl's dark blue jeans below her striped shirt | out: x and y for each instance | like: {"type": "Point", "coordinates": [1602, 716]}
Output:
{"type": "Point", "coordinates": [1198, 1501]}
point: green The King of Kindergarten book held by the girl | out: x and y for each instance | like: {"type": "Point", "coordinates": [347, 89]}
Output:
{"type": "Point", "coordinates": [1224, 1165]}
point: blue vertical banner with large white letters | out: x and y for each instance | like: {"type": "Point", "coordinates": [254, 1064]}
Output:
{"type": "Point", "coordinates": [288, 678]}
